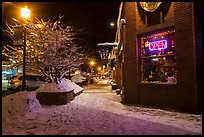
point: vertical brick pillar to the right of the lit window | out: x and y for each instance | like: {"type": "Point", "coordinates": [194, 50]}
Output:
{"type": "Point", "coordinates": [185, 53]}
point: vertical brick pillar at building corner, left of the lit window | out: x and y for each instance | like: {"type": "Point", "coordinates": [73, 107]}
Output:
{"type": "Point", "coordinates": [130, 64]}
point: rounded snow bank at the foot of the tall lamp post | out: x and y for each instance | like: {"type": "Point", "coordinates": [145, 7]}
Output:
{"type": "Point", "coordinates": [18, 104]}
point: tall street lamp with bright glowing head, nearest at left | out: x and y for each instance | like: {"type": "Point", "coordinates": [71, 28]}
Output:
{"type": "Point", "coordinates": [25, 13]}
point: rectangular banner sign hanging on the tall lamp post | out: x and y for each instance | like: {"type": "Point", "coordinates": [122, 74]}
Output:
{"type": "Point", "coordinates": [18, 36]}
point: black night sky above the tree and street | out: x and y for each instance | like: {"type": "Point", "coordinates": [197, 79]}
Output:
{"type": "Point", "coordinates": [93, 18]}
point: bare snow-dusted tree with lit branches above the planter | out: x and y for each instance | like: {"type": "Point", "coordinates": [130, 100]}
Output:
{"type": "Point", "coordinates": [52, 48]}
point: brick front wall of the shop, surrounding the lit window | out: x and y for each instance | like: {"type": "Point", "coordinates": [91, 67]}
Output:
{"type": "Point", "coordinates": [181, 16]}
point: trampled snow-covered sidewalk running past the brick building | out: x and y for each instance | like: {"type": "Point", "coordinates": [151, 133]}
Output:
{"type": "Point", "coordinates": [98, 111]}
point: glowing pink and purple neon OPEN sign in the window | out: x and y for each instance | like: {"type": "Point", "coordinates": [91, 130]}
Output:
{"type": "Point", "coordinates": [158, 45]}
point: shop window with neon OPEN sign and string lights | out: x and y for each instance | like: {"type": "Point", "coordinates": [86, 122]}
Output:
{"type": "Point", "coordinates": [158, 57]}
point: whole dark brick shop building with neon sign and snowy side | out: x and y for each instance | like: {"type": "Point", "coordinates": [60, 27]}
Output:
{"type": "Point", "coordinates": [158, 57]}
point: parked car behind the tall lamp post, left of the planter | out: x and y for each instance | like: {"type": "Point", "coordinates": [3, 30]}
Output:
{"type": "Point", "coordinates": [33, 82]}
